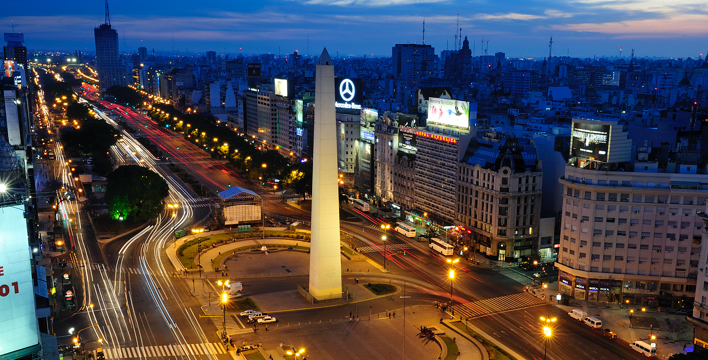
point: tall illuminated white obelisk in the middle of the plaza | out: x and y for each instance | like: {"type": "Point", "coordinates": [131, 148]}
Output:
{"type": "Point", "coordinates": [325, 258]}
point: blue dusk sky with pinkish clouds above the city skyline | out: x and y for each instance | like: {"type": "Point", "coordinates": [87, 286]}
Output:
{"type": "Point", "coordinates": [580, 28]}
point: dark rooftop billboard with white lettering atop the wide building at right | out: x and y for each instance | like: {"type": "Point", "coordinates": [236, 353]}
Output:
{"type": "Point", "coordinates": [589, 141]}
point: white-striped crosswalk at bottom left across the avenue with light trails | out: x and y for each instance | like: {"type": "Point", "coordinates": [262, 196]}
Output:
{"type": "Point", "coordinates": [173, 350]}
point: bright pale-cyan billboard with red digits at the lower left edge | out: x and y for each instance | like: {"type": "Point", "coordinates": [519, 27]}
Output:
{"type": "Point", "coordinates": [18, 321]}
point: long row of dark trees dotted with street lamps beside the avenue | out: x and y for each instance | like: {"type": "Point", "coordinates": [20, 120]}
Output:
{"type": "Point", "coordinates": [242, 153]}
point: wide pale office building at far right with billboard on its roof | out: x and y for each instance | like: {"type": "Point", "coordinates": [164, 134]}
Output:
{"type": "Point", "coordinates": [629, 230]}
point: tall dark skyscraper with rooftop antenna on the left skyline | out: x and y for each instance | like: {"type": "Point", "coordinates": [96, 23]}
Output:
{"type": "Point", "coordinates": [108, 63]}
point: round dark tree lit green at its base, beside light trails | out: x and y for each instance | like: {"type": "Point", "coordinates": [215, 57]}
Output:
{"type": "Point", "coordinates": [135, 193]}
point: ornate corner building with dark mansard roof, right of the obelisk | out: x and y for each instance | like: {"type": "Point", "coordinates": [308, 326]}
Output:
{"type": "Point", "coordinates": [499, 195]}
